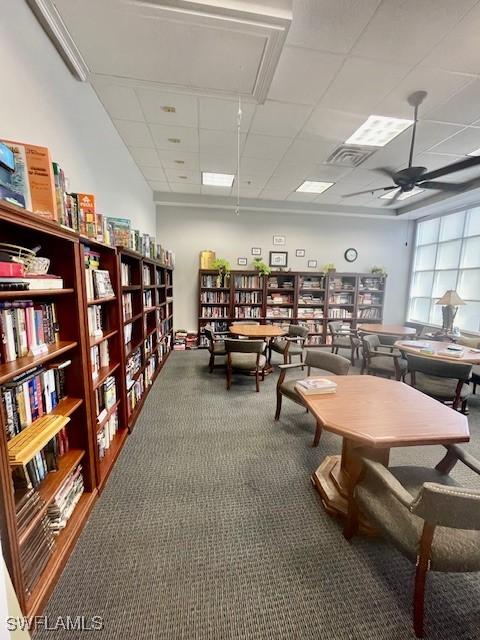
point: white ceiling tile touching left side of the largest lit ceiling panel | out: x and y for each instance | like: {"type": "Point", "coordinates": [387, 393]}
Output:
{"type": "Point", "coordinates": [332, 125]}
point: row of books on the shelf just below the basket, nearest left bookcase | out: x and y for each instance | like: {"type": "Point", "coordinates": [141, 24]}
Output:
{"type": "Point", "coordinates": [26, 328]}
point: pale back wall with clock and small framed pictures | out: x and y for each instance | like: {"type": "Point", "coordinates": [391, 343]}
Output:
{"type": "Point", "coordinates": [325, 238]}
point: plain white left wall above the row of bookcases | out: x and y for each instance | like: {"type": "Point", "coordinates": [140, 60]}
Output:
{"type": "Point", "coordinates": [41, 103]}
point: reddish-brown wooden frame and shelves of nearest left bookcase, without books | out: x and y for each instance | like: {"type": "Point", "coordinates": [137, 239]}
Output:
{"type": "Point", "coordinates": [63, 248]}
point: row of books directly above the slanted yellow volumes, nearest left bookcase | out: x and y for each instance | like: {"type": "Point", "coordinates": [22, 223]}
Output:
{"type": "Point", "coordinates": [31, 395]}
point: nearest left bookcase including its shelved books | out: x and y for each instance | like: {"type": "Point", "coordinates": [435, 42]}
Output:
{"type": "Point", "coordinates": [47, 459]}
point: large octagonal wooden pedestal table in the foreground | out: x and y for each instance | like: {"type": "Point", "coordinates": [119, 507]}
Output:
{"type": "Point", "coordinates": [375, 414]}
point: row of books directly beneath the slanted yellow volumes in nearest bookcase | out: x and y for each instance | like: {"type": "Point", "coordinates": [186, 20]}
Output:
{"type": "Point", "coordinates": [45, 461]}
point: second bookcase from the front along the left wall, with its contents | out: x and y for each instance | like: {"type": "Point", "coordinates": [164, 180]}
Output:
{"type": "Point", "coordinates": [107, 384]}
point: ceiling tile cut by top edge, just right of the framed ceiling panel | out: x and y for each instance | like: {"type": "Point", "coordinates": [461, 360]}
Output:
{"type": "Point", "coordinates": [331, 25]}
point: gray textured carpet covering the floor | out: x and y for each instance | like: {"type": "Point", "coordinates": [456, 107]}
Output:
{"type": "Point", "coordinates": [210, 529]}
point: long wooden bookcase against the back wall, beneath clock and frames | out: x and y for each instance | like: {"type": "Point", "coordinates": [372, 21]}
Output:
{"type": "Point", "coordinates": [309, 298]}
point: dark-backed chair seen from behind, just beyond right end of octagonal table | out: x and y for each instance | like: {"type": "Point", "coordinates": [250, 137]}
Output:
{"type": "Point", "coordinates": [445, 381]}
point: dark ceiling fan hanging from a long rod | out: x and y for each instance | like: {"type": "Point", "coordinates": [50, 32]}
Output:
{"type": "Point", "coordinates": [408, 179]}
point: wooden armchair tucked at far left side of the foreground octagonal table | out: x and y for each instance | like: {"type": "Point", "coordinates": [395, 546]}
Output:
{"type": "Point", "coordinates": [324, 363]}
